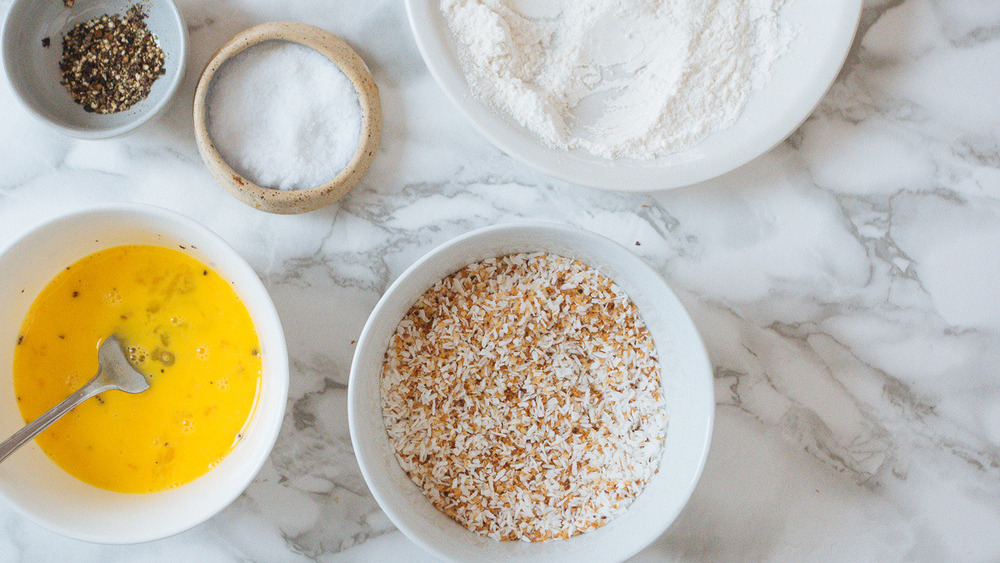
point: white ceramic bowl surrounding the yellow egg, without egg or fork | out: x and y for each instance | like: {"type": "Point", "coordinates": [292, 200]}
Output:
{"type": "Point", "coordinates": [31, 481]}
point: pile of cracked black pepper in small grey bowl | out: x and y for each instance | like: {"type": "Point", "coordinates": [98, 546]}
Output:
{"type": "Point", "coordinates": [110, 63]}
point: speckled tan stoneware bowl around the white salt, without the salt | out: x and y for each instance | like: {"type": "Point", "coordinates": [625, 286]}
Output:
{"type": "Point", "coordinates": [342, 55]}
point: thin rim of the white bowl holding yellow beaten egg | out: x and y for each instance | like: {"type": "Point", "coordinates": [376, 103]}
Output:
{"type": "Point", "coordinates": [280, 379]}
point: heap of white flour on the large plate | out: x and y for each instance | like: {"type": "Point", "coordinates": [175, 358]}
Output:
{"type": "Point", "coordinates": [619, 78]}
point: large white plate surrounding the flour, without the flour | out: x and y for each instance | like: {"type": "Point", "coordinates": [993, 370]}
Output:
{"type": "Point", "coordinates": [824, 30]}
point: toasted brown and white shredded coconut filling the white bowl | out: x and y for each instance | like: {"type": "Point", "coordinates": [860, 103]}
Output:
{"type": "Point", "coordinates": [522, 395]}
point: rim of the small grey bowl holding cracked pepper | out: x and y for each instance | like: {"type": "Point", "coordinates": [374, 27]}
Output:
{"type": "Point", "coordinates": [7, 48]}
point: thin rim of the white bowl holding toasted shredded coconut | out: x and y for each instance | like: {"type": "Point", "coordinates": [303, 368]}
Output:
{"type": "Point", "coordinates": [700, 356]}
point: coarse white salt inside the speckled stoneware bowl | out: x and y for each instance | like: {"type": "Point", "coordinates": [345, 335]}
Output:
{"type": "Point", "coordinates": [283, 116]}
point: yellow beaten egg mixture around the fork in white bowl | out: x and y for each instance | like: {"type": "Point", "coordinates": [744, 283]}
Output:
{"type": "Point", "coordinates": [183, 327]}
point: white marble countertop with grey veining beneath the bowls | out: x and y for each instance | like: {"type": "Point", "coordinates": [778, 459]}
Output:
{"type": "Point", "coordinates": [845, 284]}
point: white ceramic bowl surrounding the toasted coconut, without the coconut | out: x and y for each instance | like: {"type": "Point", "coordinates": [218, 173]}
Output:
{"type": "Point", "coordinates": [687, 386]}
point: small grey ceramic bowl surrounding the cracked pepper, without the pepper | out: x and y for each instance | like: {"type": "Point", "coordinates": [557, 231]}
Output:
{"type": "Point", "coordinates": [33, 68]}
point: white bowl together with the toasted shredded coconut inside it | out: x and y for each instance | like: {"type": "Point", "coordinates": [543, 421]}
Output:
{"type": "Point", "coordinates": [531, 392]}
